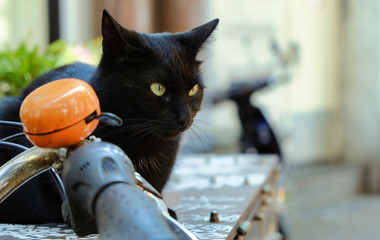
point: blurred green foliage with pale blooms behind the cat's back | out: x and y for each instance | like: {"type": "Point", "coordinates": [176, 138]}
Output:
{"type": "Point", "coordinates": [20, 65]}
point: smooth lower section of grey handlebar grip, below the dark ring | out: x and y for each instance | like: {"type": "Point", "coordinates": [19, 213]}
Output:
{"type": "Point", "coordinates": [124, 212]}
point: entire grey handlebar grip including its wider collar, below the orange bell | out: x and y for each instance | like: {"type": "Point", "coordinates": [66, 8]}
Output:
{"type": "Point", "coordinates": [100, 181]}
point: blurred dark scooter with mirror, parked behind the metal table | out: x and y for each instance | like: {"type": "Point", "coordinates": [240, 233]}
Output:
{"type": "Point", "coordinates": [258, 135]}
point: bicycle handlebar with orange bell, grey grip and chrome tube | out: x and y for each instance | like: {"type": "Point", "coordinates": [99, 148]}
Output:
{"type": "Point", "coordinates": [98, 178]}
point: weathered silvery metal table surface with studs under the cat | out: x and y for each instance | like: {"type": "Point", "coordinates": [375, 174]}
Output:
{"type": "Point", "coordinates": [231, 185]}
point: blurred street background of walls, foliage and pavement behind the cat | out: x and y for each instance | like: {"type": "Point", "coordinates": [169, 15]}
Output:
{"type": "Point", "coordinates": [322, 57]}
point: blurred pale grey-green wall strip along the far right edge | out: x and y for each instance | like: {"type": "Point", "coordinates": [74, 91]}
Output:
{"type": "Point", "coordinates": [360, 65]}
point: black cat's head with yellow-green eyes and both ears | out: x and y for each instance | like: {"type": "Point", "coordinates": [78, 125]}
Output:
{"type": "Point", "coordinates": [152, 81]}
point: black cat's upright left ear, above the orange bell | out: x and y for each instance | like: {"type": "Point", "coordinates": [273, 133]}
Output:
{"type": "Point", "coordinates": [116, 39]}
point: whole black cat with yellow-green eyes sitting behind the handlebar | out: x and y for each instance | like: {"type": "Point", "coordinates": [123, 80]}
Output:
{"type": "Point", "coordinates": [151, 81]}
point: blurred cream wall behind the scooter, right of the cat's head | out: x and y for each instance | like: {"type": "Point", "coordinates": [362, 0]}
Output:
{"type": "Point", "coordinates": [305, 111]}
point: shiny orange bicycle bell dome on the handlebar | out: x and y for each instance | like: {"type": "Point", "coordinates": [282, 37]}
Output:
{"type": "Point", "coordinates": [60, 113]}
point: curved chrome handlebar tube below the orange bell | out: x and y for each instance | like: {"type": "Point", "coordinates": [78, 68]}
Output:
{"type": "Point", "coordinates": [25, 166]}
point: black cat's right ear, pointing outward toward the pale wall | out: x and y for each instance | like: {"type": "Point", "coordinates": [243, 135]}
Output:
{"type": "Point", "coordinates": [194, 39]}
